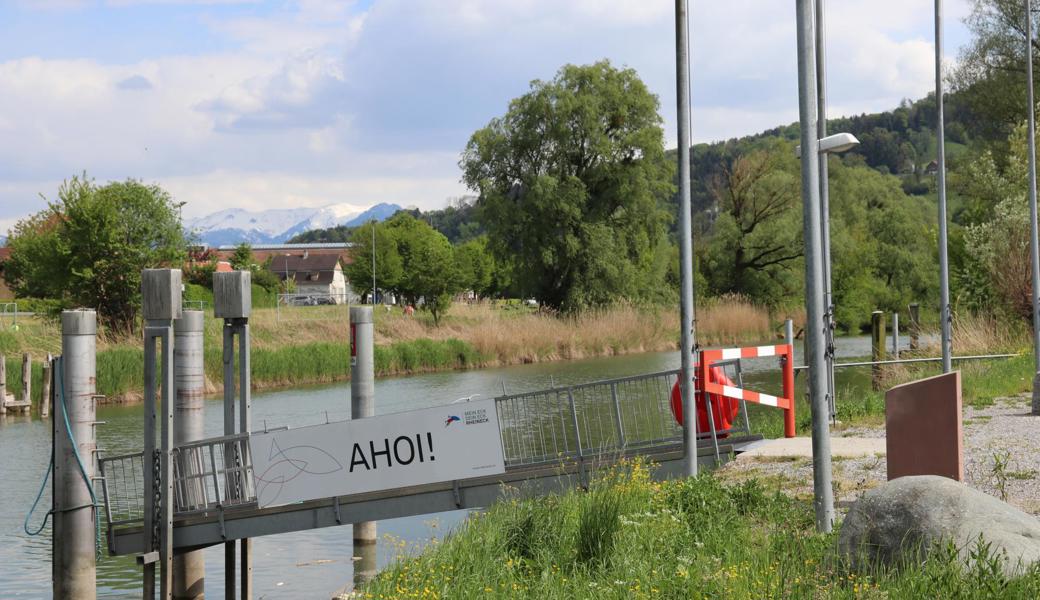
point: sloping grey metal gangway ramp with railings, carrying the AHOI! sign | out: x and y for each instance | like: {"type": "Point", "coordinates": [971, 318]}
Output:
{"type": "Point", "coordinates": [552, 440]}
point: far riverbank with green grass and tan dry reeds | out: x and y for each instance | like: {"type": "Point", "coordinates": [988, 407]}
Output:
{"type": "Point", "coordinates": [302, 346]}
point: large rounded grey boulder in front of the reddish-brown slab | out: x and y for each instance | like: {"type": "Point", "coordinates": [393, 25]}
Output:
{"type": "Point", "coordinates": [905, 519]}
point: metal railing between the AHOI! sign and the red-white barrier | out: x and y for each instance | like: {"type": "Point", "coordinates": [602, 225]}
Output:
{"type": "Point", "coordinates": [596, 419]}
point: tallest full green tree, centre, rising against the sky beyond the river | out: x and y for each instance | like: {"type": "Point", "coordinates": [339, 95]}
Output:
{"type": "Point", "coordinates": [570, 182]}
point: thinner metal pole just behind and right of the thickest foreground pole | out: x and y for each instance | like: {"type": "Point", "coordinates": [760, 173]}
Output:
{"type": "Point", "coordinates": [825, 201]}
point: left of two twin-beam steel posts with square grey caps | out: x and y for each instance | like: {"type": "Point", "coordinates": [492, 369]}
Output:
{"type": "Point", "coordinates": [161, 305]}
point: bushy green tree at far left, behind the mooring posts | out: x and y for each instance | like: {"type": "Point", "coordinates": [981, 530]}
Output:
{"type": "Point", "coordinates": [89, 248]}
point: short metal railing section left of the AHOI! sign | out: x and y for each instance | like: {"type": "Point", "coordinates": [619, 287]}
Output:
{"type": "Point", "coordinates": [214, 474]}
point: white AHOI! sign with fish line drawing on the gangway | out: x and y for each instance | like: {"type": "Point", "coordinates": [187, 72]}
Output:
{"type": "Point", "coordinates": [427, 447]}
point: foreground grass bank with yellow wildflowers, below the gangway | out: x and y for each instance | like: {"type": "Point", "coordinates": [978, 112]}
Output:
{"type": "Point", "coordinates": [629, 537]}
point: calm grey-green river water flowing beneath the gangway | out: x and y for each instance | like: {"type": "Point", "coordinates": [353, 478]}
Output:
{"type": "Point", "coordinates": [307, 564]}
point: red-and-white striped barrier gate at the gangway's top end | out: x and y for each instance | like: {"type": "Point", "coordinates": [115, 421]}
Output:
{"type": "Point", "coordinates": [786, 403]}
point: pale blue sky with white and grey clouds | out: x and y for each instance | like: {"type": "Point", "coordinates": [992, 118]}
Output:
{"type": "Point", "coordinates": [295, 103]}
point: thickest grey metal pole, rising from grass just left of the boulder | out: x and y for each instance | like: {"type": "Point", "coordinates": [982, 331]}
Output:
{"type": "Point", "coordinates": [816, 326]}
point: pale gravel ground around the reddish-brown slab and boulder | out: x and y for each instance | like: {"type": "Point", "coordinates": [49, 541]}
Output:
{"type": "Point", "coordinates": [1002, 458]}
